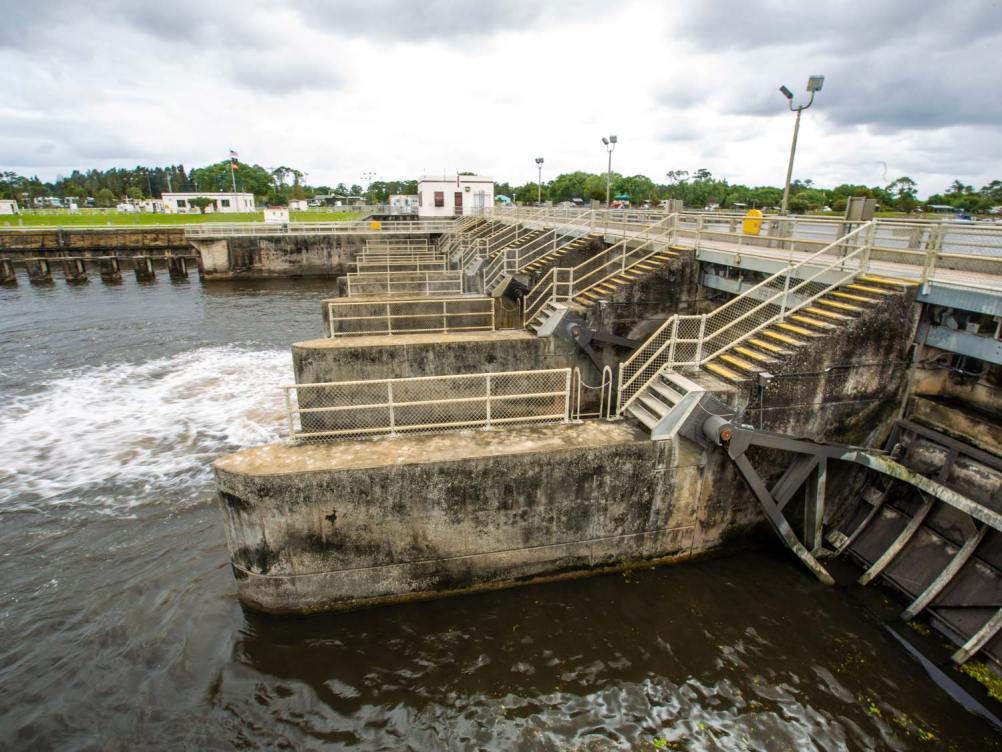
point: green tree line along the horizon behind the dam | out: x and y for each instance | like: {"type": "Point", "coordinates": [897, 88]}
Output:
{"type": "Point", "coordinates": [697, 190]}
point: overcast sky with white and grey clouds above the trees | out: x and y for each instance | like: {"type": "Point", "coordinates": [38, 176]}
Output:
{"type": "Point", "coordinates": [411, 87]}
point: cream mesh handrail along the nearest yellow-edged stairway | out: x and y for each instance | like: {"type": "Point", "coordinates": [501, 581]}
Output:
{"type": "Point", "coordinates": [690, 341]}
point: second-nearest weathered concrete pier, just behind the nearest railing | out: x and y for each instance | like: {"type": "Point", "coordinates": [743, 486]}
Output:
{"type": "Point", "coordinates": [434, 354]}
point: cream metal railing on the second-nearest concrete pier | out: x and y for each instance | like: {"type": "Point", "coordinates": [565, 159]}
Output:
{"type": "Point", "coordinates": [410, 316]}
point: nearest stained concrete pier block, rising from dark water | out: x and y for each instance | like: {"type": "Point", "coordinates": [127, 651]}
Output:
{"type": "Point", "coordinates": [348, 525]}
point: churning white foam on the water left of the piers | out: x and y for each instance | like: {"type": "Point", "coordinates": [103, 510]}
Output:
{"type": "Point", "coordinates": [128, 435]}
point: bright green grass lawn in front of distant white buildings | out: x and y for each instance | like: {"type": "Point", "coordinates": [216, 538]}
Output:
{"type": "Point", "coordinates": [97, 218]}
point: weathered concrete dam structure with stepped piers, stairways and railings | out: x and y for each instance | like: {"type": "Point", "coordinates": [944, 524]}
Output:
{"type": "Point", "coordinates": [534, 397]}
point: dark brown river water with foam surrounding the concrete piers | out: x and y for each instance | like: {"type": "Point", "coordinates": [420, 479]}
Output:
{"type": "Point", "coordinates": [120, 628]}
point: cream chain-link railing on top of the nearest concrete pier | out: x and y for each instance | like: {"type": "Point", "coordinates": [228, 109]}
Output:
{"type": "Point", "coordinates": [351, 410]}
